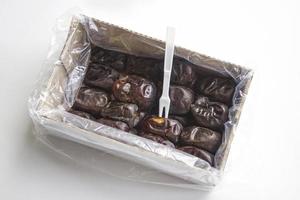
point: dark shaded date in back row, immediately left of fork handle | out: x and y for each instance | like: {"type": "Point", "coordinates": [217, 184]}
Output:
{"type": "Point", "coordinates": [146, 67]}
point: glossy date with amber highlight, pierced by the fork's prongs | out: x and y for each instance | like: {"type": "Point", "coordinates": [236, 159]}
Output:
{"type": "Point", "coordinates": [168, 128]}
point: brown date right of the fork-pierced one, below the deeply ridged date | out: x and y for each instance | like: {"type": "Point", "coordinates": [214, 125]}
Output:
{"type": "Point", "coordinates": [202, 138]}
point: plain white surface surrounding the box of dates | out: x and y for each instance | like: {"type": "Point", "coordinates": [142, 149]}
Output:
{"type": "Point", "coordinates": [265, 35]}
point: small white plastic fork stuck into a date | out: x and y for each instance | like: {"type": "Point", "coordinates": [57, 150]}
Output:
{"type": "Point", "coordinates": [164, 101]}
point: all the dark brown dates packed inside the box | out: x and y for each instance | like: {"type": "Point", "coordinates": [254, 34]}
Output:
{"type": "Point", "coordinates": [123, 91]}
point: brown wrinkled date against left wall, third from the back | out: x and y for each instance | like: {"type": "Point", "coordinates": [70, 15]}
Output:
{"type": "Point", "coordinates": [91, 100]}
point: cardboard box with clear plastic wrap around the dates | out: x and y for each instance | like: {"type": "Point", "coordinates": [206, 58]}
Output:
{"type": "Point", "coordinates": [66, 67]}
